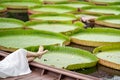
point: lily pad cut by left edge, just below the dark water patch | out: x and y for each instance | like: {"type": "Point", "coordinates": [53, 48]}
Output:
{"type": "Point", "coordinates": [9, 23]}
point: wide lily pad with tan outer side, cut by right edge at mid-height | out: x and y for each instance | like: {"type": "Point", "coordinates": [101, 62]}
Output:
{"type": "Point", "coordinates": [96, 36]}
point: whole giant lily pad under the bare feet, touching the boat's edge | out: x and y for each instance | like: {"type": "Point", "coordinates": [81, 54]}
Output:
{"type": "Point", "coordinates": [67, 57]}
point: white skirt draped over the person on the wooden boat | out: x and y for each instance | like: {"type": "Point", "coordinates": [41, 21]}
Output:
{"type": "Point", "coordinates": [15, 64]}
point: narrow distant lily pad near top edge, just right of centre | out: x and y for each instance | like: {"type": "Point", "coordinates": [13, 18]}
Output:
{"type": "Point", "coordinates": [76, 4]}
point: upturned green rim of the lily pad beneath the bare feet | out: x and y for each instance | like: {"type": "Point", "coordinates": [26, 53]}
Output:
{"type": "Point", "coordinates": [84, 52]}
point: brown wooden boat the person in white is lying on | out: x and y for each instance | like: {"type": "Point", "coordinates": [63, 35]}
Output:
{"type": "Point", "coordinates": [44, 72]}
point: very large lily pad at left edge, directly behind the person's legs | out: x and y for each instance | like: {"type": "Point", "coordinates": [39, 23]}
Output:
{"type": "Point", "coordinates": [24, 38]}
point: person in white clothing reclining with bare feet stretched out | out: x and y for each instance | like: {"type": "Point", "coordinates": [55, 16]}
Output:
{"type": "Point", "coordinates": [16, 63]}
